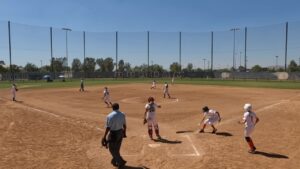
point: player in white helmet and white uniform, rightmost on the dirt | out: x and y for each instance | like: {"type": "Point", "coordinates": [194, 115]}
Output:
{"type": "Point", "coordinates": [250, 120]}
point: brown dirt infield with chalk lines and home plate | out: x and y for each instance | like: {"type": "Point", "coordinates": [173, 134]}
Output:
{"type": "Point", "coordinates": [62, 128]}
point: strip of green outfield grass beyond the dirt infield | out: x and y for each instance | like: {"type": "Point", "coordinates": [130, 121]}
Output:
{"type": "Point", "coordinates": [194, 81]}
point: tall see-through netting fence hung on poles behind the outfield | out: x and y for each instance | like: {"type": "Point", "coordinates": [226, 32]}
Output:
{"type": "Point", "coordinates": [27, 48]}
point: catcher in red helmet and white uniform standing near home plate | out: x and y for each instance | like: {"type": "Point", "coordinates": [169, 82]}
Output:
{"type": "Point", "coordinates": [150, 117]}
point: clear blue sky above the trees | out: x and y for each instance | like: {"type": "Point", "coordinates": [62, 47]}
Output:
{"type": "Point", "coordinates": [164, 19]}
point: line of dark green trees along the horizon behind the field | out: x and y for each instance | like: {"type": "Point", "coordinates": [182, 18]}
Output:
{"type": "Point", "coordinates": [90, 64]}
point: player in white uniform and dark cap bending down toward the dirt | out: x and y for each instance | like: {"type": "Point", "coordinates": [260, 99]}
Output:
{"type": "Point", "coordinates": [211, 117]}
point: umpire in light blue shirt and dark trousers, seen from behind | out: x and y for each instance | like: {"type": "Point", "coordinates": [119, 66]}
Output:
{"type": "Point", "coordinates": [114, 134]}
